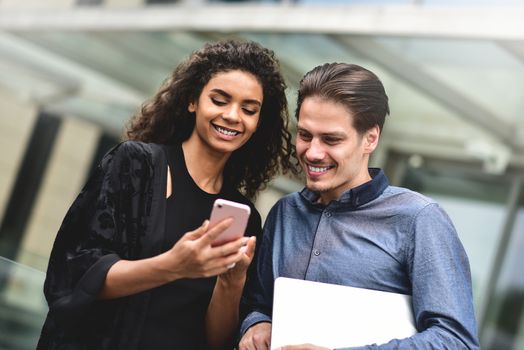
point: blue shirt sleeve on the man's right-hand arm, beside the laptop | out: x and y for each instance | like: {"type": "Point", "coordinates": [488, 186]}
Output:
{"type": "Point", "coordinates": [441, 284]}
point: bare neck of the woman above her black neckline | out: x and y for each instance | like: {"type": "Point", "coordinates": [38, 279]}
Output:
{"type": "Point", "coordinates": [204, 165]}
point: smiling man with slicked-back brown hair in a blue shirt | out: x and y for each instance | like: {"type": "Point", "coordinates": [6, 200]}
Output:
{"type": "Point", "coordinates": [349, 227]}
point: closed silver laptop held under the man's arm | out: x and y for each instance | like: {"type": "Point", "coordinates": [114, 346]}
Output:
{"type": "Point", "coordinates": [337, 316]}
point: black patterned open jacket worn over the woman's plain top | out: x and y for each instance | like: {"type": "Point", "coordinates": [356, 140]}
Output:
{"type": "Point", "coordinates": [119, 214]}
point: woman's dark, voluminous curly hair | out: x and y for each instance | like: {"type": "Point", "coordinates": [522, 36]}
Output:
{"type": "Point", "coordinates": [165, 118]}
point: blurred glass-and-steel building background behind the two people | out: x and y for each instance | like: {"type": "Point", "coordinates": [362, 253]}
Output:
{"type": "Point", "coordinates": [72, 72]}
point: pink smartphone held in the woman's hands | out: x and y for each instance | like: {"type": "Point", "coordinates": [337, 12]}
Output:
{"type": "Point", "coordinates": [223, 209]}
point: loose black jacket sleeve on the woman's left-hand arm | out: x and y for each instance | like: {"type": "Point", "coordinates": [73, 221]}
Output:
{"type": "Point", "coordinates": [89, 241]}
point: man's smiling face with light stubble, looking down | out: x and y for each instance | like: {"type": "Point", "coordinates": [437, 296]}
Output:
{"type": "Point", "coordinates": [333, 155]}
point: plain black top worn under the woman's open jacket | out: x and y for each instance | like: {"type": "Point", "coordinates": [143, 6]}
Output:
{"type": "Point", "coordinates": [177, 311]}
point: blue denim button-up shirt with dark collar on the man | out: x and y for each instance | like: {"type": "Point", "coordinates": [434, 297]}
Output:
{"type": "Point", "coordinates": [378, 237]}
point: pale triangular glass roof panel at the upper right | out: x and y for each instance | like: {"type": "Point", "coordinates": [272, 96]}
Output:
{"type": "Point", "coordinates": [484, 71]}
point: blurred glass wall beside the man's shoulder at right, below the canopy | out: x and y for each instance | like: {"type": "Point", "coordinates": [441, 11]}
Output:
{"type": "Point", "coordinates": [488, 213]}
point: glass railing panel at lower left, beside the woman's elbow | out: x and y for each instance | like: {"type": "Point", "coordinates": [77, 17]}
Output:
{"type": "Point", "coordinates": [22, 305]}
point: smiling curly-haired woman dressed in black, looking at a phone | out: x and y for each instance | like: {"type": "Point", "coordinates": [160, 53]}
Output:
{"type": "Point", "coordinates": [132, 266]}
